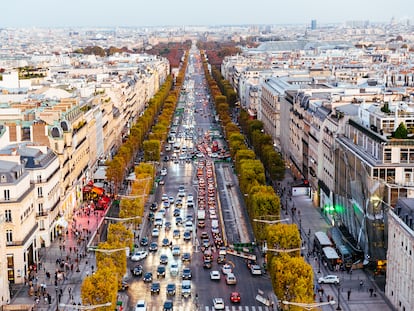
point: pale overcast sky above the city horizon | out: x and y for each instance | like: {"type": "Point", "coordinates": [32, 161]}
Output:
{"type": "Point", "coordinates": [90, 13]}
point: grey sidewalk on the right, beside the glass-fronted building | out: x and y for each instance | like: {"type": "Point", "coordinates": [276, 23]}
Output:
{"type": "Point", "coordinates": [310, 220]}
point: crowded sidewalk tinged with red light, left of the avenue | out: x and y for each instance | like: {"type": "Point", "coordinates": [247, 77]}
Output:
{"type": "Point", "coordinates": [63, 265]}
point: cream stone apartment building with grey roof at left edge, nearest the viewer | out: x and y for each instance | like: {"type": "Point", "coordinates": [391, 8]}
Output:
{"type": "Point", "coordinates": [29, 184]}
